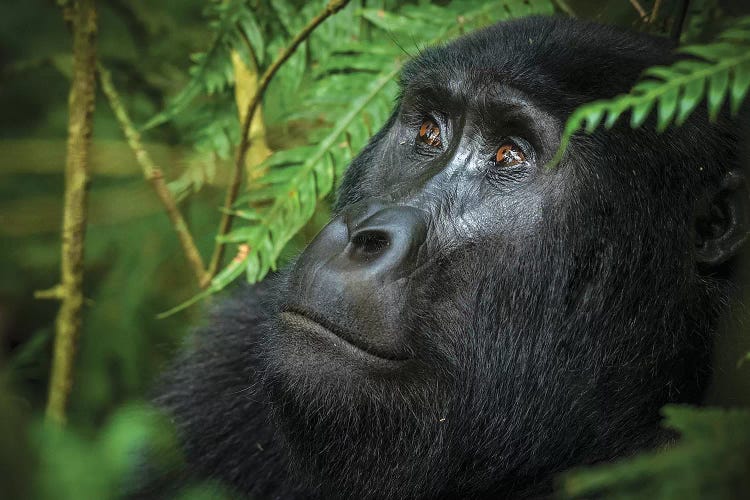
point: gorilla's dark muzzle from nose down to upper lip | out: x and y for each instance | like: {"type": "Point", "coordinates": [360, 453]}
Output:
{"type": "Point", "coordinates": [349, 278]}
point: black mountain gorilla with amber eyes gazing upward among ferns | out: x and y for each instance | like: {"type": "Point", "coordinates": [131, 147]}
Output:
{"type": "Point", "coordinates": [471, 323]}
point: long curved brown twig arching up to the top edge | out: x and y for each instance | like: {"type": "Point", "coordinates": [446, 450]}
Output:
{"type": "Point", "coordinates": [227, 217]}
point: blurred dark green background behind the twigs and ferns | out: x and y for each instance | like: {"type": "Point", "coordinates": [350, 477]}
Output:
{"type": "Point", "coordinates": [134, 266]}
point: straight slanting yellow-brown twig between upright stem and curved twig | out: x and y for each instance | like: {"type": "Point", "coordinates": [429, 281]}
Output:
{"type": "Point", "coordinates": [154, 175]}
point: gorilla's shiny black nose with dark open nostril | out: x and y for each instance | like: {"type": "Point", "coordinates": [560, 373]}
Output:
{"type": "Point", "coordinates": [384, 239]}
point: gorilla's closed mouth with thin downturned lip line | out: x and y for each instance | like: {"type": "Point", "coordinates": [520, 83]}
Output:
{"type": "Point", "coordinates": [312, 322]}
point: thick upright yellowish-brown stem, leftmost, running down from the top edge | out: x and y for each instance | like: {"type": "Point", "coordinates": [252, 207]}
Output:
{"type": "Point", "coordinates": [83, 19]}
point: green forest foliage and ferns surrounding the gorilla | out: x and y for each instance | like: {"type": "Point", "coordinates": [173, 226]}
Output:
{"type": "Point", "coordinates": [179, 70]}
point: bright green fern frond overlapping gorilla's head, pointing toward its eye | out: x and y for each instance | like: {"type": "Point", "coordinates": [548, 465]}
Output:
{"type": "Point", "coordinates": [720, 70]}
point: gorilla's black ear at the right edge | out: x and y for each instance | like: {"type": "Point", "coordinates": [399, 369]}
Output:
{"type": "Point", "coordinates": [723, 222]}
